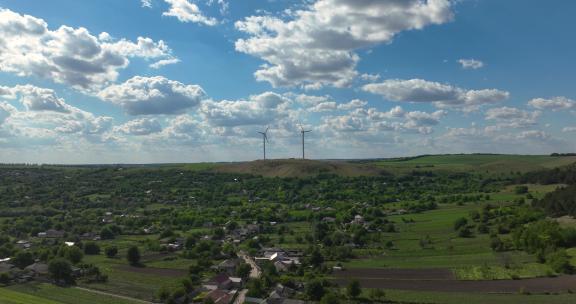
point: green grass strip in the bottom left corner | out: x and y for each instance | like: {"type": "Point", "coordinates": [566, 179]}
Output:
{"type": "Point", "coordinates": [43, 293]}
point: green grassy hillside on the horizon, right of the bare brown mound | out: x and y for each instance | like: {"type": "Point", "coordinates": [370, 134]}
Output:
{"type": "Point", "coordinates": [489, 163]}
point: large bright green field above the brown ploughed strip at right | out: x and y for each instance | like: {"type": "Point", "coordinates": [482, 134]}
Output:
{"type": "Point", "coordinates": [447, 250]}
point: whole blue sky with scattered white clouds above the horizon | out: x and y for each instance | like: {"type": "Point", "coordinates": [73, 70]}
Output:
{"type": "Point", "coordinates": [194, 80]}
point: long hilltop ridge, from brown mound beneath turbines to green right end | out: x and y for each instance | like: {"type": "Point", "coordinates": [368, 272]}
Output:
{"type": "Point", "coordinates": [482, 163]}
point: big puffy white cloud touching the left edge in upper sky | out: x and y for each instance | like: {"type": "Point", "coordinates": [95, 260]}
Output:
{"type": "Point", "coordinates": [68, 55]}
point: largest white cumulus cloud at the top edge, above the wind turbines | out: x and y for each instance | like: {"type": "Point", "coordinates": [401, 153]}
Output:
{"type": "Point", "coordinates": [316, 46]}
